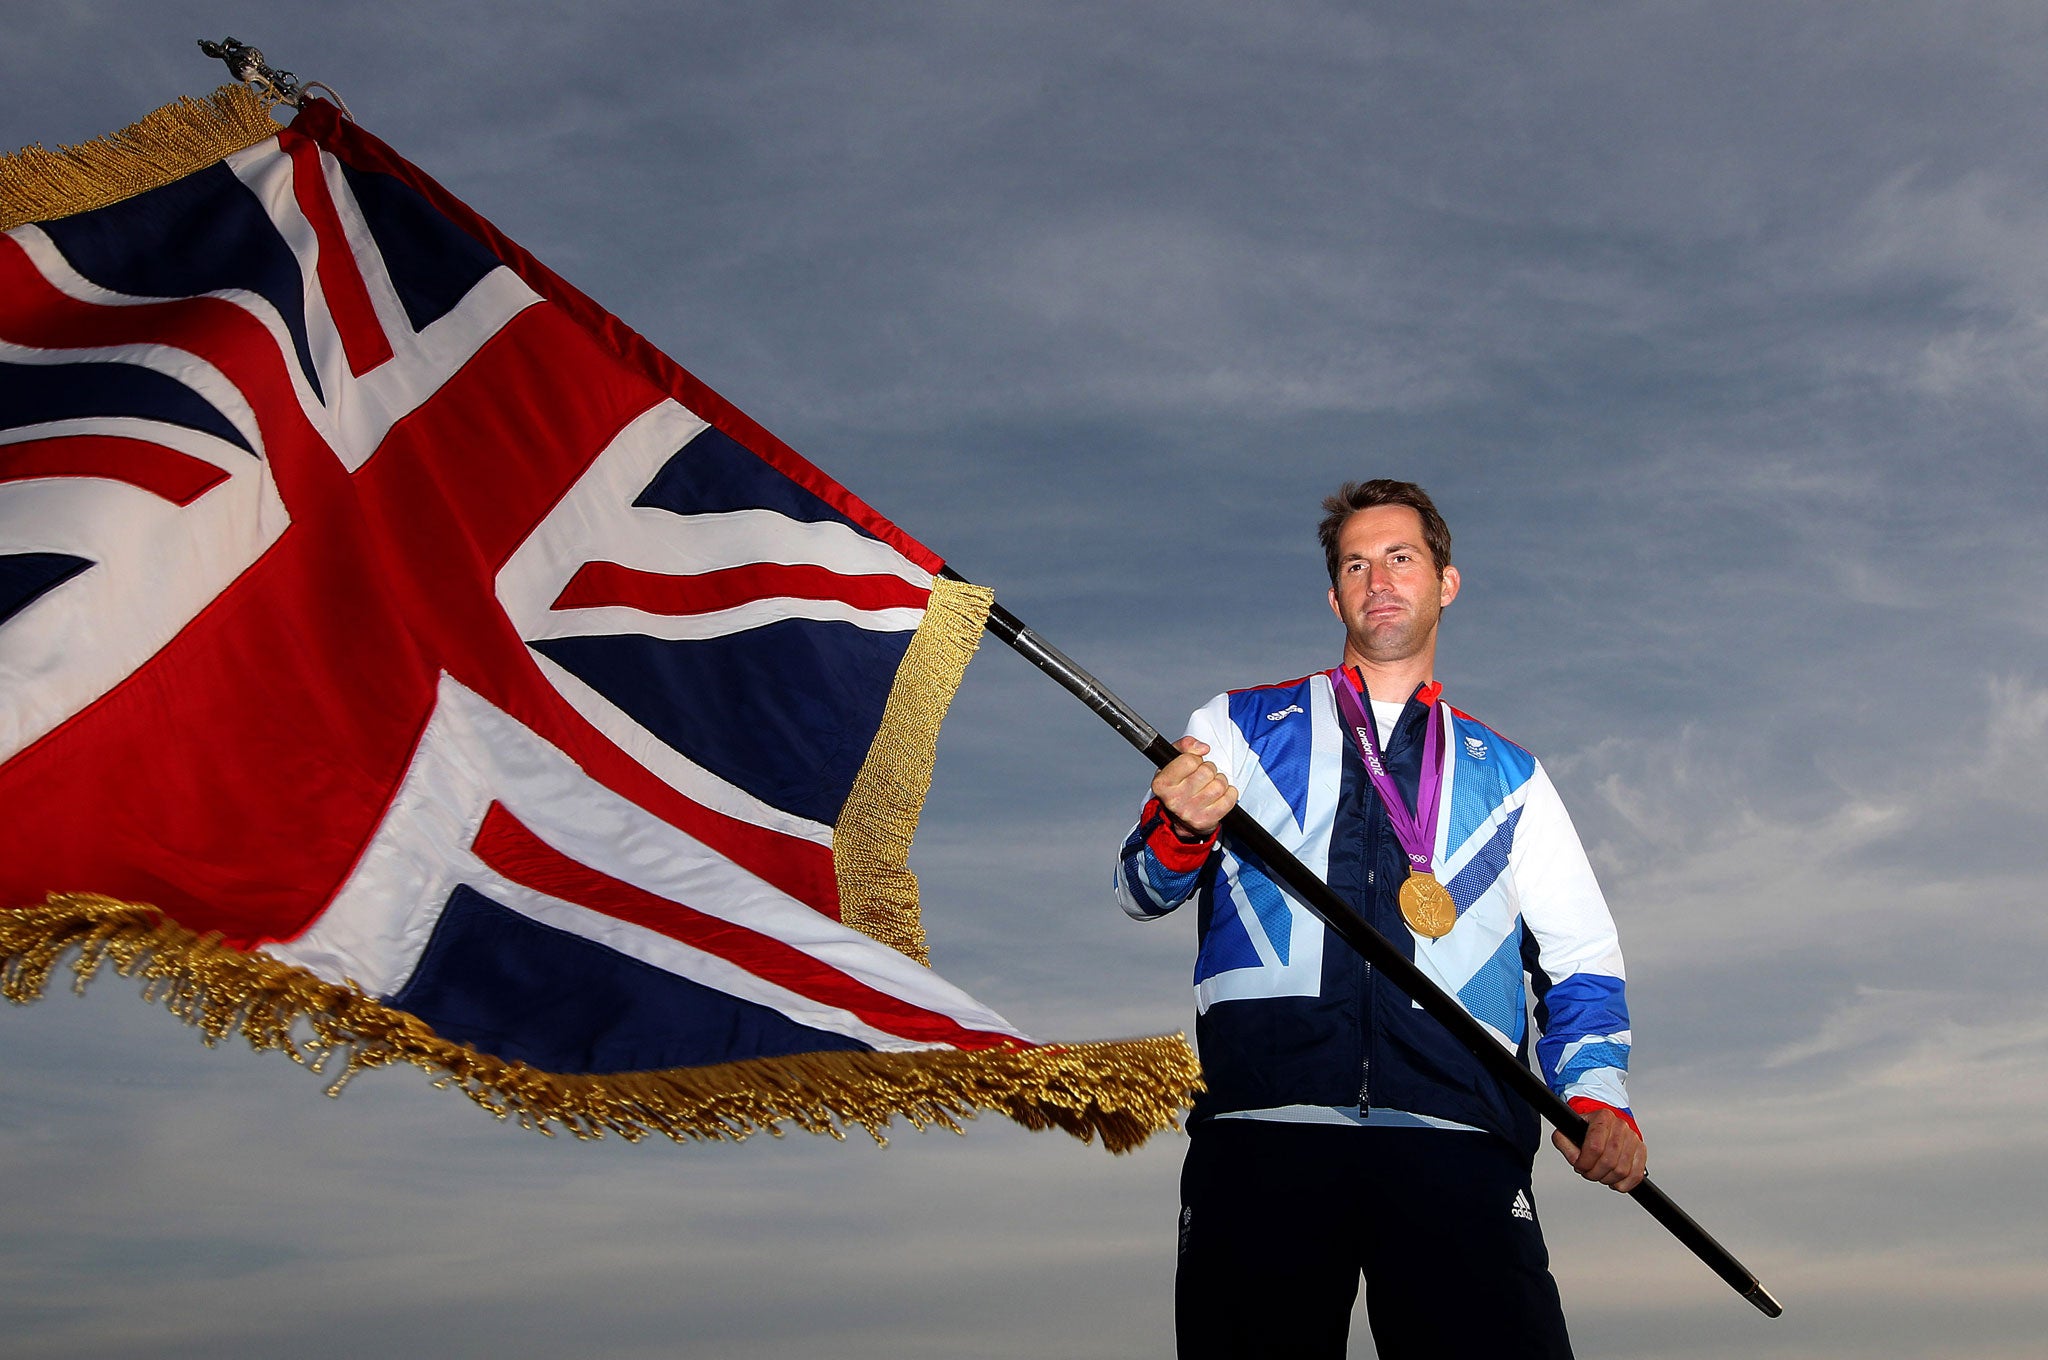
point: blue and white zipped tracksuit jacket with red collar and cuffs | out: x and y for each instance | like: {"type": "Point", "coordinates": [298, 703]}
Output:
{"type": "Point", "coordinates": [1291, 1017]}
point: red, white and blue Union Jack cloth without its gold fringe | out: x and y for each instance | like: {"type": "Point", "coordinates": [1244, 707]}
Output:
{"type": "Point", "coordinates": [378, 603]}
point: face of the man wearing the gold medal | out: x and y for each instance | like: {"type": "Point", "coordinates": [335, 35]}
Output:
{"type": "Point", "coordinates": [1388, 593]}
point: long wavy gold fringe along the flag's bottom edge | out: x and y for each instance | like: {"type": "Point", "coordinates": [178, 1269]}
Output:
{"type": "Point", "coordinates": [1121, 1093]}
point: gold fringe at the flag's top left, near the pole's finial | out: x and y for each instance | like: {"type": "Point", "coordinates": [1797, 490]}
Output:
{"type": "Point", "coordinates": [173, 142]}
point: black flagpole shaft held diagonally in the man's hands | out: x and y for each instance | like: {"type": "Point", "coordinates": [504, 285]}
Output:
{"type": "Point", "coordinates": [1349, 923]}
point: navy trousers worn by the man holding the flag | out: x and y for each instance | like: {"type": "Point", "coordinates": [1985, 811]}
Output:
{"type": "Point", "coordinates": [1281, 1222]}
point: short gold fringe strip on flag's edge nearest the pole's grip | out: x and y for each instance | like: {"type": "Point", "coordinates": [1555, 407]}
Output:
{"type": "Point", "coordinates": [871, 841]}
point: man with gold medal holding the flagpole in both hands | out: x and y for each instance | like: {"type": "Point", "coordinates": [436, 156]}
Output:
{"type": "Point", "coordinates": [1345, 1134]}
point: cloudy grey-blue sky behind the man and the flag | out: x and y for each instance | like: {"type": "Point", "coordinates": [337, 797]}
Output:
{"type": "Point", "coordinates": [1717, 331]}
